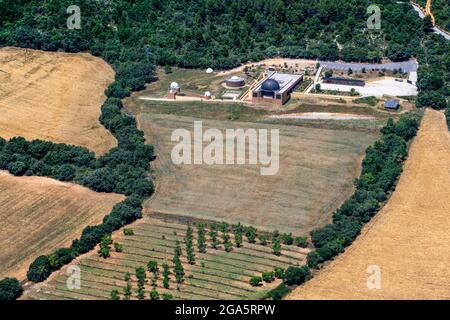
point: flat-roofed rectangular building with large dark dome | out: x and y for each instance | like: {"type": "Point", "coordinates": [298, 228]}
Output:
{"type": "Point", "coordinates": [275, 88]}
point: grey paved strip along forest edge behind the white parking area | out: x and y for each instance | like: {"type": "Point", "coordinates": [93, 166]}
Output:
{"type": "Point", "coordinates": [406, 66]}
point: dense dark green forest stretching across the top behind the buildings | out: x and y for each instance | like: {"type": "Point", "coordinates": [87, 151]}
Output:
{"type": "Point", "coordinates": [135, 35]}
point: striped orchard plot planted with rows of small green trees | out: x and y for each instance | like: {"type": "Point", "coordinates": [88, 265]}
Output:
{"type": "Point", "coordinates": [216, 274]}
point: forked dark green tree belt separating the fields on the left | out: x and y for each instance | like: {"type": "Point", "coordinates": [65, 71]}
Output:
{"type": "Point", "coordinates": [122, 170]}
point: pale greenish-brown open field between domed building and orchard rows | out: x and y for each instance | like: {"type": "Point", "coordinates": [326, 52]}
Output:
{"type": "Point", "coordinates": [317, 169]}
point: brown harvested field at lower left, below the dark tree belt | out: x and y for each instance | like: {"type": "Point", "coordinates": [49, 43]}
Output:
{"type": "Point", "coordinates": [38, 215]}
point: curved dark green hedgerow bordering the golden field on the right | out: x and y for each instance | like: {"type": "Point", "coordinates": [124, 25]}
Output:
{"type": "Point", "coordinates": [381, 169]}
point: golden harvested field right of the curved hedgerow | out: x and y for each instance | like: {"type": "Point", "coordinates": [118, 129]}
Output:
{"type": "Point", "coordinates": [408, 240]}
